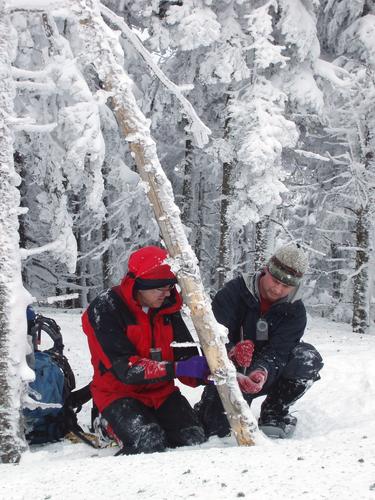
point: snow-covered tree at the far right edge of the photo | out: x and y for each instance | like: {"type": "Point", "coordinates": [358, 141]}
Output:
{"type": "Point", "coordinates": [345, 35]}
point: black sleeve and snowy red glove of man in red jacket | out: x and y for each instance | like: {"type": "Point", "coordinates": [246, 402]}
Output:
{"type": "Point", "coordinates": [109, 318]}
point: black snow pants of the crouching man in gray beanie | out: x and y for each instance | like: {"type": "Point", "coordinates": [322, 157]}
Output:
{"type": "Point", "coordinates": [301, 371]}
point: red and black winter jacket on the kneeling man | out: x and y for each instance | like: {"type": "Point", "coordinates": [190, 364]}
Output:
{"type": "Point", "coordinates": [120, 335]}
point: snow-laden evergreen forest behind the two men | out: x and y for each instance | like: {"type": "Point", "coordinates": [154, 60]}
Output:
{"type": "Point", "coordinates": [263, 117]}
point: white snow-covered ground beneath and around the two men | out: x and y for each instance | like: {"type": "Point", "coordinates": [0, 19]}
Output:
{"type": "Point", "coordinates": [331, 456]}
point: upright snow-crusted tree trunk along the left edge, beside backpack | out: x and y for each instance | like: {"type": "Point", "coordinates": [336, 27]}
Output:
{"type": "Point", "coordinates": [12, 297]}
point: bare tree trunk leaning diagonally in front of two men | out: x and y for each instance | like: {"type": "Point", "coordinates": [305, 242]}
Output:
{"type": "Point", "coordinates": [98, 47]}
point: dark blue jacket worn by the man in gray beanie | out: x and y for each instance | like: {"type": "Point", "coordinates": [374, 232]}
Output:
{"type": "Point", "coordinates": [237, 304]}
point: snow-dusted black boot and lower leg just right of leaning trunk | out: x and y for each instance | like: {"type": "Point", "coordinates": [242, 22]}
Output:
{"type": "Point", "coordinates": [275, 419]}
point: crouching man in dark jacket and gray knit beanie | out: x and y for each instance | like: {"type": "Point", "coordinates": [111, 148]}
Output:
{"type": "Point", "coordinates": [265, 322]}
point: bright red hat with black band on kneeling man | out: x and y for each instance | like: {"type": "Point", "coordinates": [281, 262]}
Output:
{"type": "Point", "coordinates": [147, 265]}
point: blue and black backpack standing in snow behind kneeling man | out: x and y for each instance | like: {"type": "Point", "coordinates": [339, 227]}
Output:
{"type": "Point", "coordinates": [52, 413]}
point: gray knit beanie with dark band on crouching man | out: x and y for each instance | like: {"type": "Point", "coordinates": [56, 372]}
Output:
{"type": "Point", "coordinates": [288, 264]}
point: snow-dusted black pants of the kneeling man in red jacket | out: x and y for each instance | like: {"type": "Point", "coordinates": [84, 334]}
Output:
{"type": "Point", "coordinates": [142, 429]}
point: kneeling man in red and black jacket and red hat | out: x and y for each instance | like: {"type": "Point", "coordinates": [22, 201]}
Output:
{"type": "Point", "coordinates": [130, 329]}
